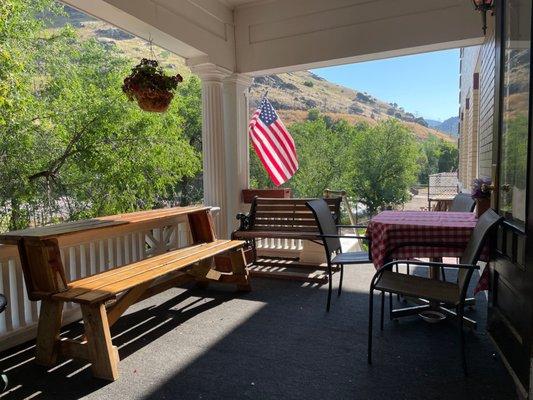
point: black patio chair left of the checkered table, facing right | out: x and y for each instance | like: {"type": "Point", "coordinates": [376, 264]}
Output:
{"type": "Point", "coordinates": [329, 233]}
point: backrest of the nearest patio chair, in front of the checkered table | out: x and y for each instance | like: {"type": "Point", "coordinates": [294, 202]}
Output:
{"type": "Point", "coordinates": [485, 226]}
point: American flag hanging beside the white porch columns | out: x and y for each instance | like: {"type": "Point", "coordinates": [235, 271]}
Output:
{"type": "Point", "coordinates": [273, 144]}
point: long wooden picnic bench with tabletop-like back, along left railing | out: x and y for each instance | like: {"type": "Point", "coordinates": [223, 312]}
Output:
{"type": "Point", "coordinates": [105, 296]}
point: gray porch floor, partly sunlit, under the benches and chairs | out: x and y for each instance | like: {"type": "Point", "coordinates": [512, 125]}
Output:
{"type": "Point", "coordinates": [276, 342]}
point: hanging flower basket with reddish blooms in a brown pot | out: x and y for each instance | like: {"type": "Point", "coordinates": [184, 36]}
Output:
{"type": "Point", "coordinates": [150, 86]}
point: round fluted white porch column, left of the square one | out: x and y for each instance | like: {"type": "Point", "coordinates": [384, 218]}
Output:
{"type": "Point", "coordinates": [213, 140]}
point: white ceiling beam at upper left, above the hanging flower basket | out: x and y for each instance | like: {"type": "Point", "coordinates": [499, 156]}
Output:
{"type": "Point", "coordinates": [191, 29]}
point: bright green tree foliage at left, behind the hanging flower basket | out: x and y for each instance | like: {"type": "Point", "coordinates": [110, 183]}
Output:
{"type": "Point", "coordinates": [71, 144]}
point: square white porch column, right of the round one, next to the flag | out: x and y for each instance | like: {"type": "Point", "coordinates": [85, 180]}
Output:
{"type": "Point", "coordinates": [236, 114]}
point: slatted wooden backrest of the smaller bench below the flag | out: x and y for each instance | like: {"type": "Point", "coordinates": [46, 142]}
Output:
{"type": "Point", "coordinates": [287, 214]}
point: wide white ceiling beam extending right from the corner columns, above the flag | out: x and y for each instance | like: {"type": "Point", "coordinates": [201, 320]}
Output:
{"type": "Point", "coordinates": [280, 35]}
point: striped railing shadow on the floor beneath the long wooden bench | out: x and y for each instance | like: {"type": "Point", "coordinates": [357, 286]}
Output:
{"type": "Point", "coordinates": [72, 379]}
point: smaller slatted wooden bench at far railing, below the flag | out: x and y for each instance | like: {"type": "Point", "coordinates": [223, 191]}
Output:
{"type": "Point", "coordinates": [282, 219]}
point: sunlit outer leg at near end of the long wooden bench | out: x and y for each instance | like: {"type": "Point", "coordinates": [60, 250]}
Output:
{"type": "Point", "coordinates": [103, 355]}
